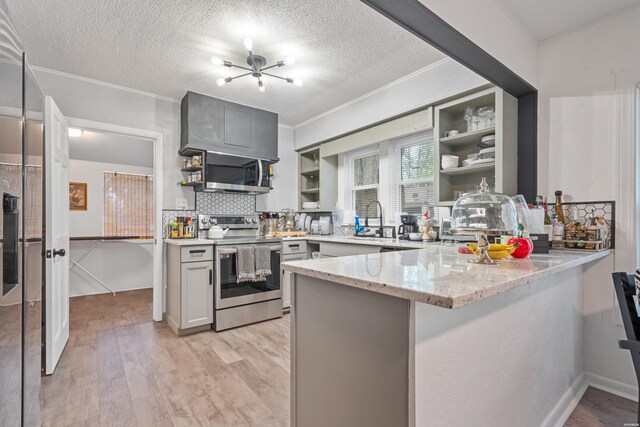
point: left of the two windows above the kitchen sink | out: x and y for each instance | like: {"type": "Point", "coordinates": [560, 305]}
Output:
{"type": "Point", "coordinates": [364, 179]}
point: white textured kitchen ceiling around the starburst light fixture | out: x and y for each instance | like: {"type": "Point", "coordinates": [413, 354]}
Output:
{"type": "Point", "coordinates": [343, 48]}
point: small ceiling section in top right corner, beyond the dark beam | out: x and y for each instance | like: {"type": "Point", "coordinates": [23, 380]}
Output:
{"type": "Point", "coordinates": [548, 18]}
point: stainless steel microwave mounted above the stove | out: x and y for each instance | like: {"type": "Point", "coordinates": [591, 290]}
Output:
{"type": "Point", "coordinates": [235, 174]}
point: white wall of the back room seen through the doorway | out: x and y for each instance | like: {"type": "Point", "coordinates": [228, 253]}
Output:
{"type": "Point", "coordinates": [134, 260]}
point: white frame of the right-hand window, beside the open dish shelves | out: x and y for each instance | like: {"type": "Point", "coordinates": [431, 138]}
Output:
{"type": "Point", "coordinates": [396, 181]}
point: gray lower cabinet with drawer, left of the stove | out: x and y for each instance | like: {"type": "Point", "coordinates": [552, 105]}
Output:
{"type": "Point", "coordinates": [189, 288]}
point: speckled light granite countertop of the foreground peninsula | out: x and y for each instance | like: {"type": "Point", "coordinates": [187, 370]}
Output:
{"type": "Point", "coordinates": [438, 275]}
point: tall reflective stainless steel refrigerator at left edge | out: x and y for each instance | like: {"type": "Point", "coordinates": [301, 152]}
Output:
{"type": "Point", "coordinates": [21, 159]}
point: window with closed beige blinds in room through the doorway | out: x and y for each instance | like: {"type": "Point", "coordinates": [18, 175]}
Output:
{"type": "Point", "coordinates": [128, 205]}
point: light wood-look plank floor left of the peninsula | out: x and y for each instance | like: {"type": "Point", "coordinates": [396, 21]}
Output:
{"type": "Point", "coordinates": [121, 368]}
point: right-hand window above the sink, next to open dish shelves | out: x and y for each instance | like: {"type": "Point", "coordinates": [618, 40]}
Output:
{"type": "Point", "coordinates": [413, 173]}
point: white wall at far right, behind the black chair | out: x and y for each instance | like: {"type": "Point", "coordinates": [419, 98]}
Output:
{"type": "Point", "coordinates": [586, 148]}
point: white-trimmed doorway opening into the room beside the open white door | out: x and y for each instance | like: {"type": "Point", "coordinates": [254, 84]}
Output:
{"type": "Point", "coordinates": [115, 211]}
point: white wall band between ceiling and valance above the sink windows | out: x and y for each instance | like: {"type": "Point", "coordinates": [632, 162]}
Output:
{"type": "Point", "coordinates": [425, 87]}
